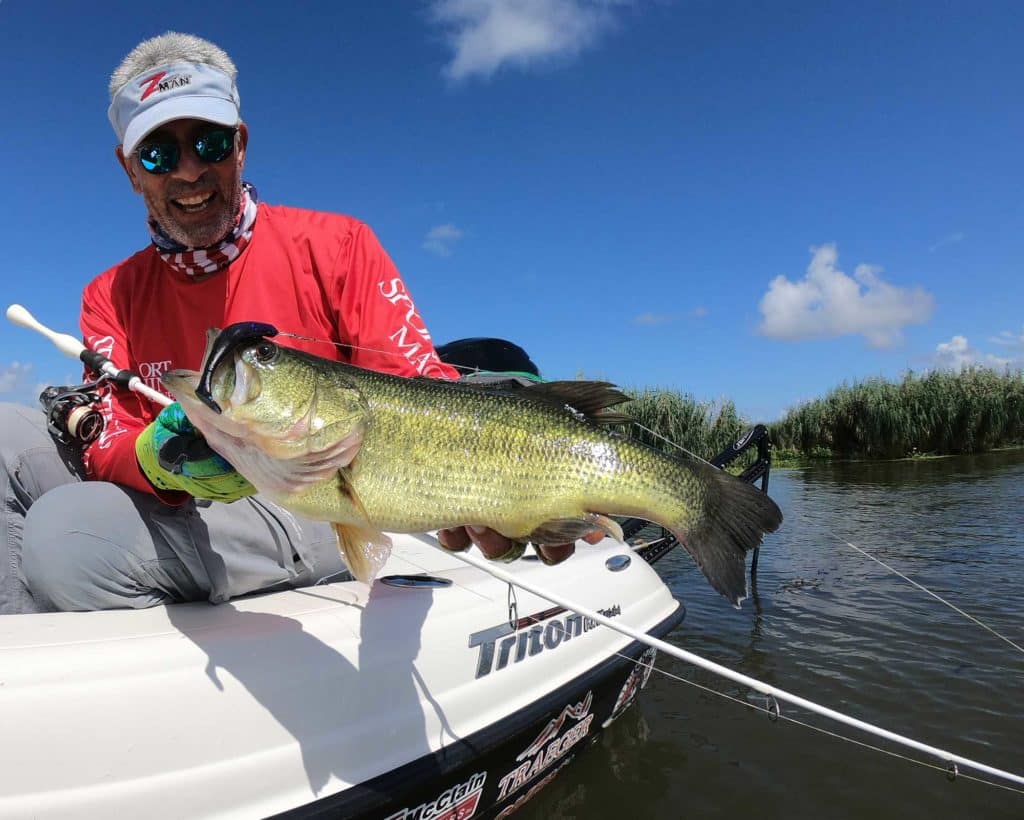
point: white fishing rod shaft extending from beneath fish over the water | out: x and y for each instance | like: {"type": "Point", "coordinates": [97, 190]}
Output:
{"type": "Point", "coordinates": [952, 761]}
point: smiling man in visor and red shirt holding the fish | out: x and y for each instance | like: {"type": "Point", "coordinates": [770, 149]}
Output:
{"type": "Point", "coordinates": [145, 529]}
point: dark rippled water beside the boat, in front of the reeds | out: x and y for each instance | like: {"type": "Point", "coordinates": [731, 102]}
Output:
{"type": "Point", "coordinates": [832, 626]}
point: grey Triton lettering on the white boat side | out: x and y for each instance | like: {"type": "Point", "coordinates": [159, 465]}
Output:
{"type": "Point", "coordinates": [515, 643]}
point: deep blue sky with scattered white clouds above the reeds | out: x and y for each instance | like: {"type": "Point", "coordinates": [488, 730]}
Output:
{"type": "Point", "coordinates": [746, 201]}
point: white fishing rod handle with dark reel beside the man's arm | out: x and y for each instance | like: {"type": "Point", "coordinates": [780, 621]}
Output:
{"type": "Point", "coordinates": [71, 411]}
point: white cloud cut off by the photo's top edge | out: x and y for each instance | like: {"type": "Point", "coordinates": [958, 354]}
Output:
{"type": "Point", "coordinates": [489, 34]}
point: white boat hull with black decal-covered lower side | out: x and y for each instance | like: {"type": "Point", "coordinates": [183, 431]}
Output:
{"type": "Point", "coordinates": [332, 701]}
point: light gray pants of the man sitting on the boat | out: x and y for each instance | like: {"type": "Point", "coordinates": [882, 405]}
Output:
{"type": "Point", "coordinates": [74, 545]}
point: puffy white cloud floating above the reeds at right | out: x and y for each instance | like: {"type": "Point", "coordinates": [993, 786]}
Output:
{"type": "Point", "coordinates": [829, 304]}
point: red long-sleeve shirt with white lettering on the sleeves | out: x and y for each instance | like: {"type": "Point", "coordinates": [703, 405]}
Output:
{"type": "Point", "coordinates": [321, 276]}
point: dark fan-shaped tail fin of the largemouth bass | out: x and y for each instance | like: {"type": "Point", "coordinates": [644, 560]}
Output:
{"type": "Point", "coordinates": [735, 520]}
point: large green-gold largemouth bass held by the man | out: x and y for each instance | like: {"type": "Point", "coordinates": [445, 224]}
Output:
{"type": "Point", "coordinates": [373, 454]}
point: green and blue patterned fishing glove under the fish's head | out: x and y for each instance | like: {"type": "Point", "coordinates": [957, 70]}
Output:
{"type": "Point", "coordinates": [175, 456]}
